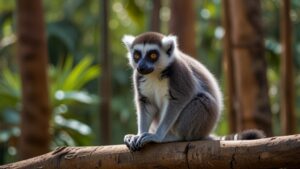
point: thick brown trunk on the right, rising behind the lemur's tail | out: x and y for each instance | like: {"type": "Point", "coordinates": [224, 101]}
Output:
{"type": "Point", "coordinates": [250, 66]}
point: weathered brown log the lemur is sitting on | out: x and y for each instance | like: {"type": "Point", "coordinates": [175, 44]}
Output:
{"type": "Point", "coordinates": [275, 152]}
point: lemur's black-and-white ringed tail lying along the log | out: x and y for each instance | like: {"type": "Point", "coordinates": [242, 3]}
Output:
{"type": "Point", "coordinates": [251, 134]}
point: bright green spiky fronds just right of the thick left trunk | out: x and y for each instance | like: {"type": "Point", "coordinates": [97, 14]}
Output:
{"type": "Point", "coordinates": [67, 96]}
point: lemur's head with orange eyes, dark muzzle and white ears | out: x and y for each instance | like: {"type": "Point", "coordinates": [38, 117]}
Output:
{"type": "Point", "coordinates": [150, 52]}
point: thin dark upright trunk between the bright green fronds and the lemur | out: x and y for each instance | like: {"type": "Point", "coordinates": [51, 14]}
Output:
{"type": "Point", "coordinates": [105, 80]}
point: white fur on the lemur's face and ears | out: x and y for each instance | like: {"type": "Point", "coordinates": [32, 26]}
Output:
{"type": "Point", "coordinates": [164, 59]}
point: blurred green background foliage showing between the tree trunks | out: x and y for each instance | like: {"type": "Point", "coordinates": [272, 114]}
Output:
{"type": "Point", "coordinates": [73, 34]}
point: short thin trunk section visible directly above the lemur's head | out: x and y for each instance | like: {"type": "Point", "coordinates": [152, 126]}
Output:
{"type": "Point", "coordinates": [155, 12]}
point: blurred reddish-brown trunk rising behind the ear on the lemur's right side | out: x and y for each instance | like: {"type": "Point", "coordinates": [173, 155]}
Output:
{"type": "Point", "coordinates": [182, 24]}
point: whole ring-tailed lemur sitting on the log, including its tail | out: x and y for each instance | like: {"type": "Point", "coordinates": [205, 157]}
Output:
{"type": "Point", "coordinates": [176, 97]}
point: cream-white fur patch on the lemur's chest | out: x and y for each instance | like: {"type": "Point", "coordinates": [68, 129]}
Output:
{"type": "Point", "coordinates": [155, 89]}
